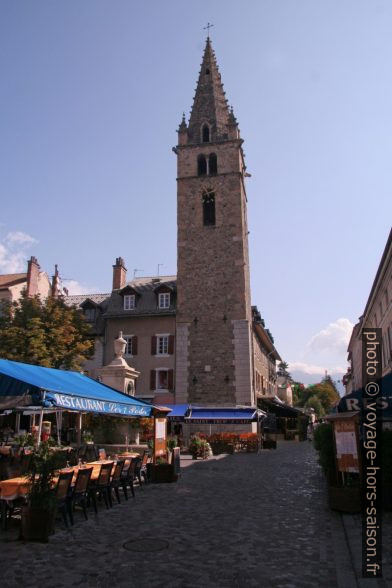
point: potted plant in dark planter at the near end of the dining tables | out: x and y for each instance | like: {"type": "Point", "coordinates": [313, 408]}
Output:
{"type": "Point", "coordinates": [39, 512]}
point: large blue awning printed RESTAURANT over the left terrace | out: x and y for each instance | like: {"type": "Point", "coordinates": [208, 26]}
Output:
{"type": "Point", "coordinates": [24, 384]}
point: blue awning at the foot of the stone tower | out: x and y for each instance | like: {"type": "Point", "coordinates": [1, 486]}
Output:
{"type": "Point", "coordinates": [187, 413]}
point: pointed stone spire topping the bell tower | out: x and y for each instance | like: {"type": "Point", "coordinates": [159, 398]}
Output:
{"type": "Point", "coordinates": [210, 105]}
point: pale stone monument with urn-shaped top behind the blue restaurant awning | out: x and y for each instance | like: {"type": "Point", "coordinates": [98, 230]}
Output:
{"type": "Point", "coordinates": [118, 374]}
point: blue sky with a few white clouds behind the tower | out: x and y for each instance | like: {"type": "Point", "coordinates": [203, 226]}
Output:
{"type": "Point", "coordinates": [93, 93]}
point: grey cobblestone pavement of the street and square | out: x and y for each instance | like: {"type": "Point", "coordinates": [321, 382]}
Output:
{"type": "Point", "coordinates": [245, 520]}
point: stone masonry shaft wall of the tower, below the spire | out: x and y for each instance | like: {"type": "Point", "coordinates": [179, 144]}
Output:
{"type": "Point", "coordinates": [213, 277]}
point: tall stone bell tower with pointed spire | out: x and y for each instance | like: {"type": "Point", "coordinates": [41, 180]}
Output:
{"type": "Point", "coordinates": [213, 322]}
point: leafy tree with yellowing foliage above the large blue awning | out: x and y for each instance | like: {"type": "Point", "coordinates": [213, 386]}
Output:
{"type": "Point", "coordinates": [46, 333]}
